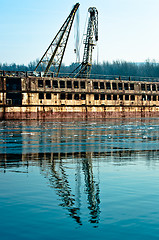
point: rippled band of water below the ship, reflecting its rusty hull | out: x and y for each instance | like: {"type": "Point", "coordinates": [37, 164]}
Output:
{"type": "Point", "coordinates": [26, 137]}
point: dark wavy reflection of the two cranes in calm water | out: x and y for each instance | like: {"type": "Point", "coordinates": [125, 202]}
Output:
{"type": "Point", "coordinates": [59, 180]}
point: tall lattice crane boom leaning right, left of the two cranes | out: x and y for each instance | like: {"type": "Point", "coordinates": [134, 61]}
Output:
{"type": "Point", "coordinates": [55, 52]}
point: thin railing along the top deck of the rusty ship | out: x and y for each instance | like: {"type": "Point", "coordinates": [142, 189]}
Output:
{"type": "Point", "coordinates": [69, 75]}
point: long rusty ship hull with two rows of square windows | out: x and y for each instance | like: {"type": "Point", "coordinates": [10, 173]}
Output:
{"type": "Point", "coordinates": [55, 98]}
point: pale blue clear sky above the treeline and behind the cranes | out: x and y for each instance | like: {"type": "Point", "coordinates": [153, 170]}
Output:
{"type": "Point", "coordinates": [128, 29]}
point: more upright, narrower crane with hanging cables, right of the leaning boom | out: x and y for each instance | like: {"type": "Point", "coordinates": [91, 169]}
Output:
{"type": "Point", "coordinates": [84, 68]}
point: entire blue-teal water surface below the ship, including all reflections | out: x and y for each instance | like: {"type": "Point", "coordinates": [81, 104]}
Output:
{"type": "Point", "coordinates": [79, 179]}
